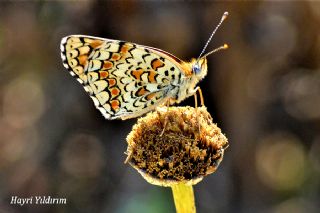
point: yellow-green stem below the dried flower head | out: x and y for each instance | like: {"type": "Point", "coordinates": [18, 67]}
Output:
{"type": "Point", "coordinates": [183, 198]}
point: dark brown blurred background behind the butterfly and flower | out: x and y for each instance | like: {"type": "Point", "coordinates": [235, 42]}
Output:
{"type": "Point", "coordinates": [264, 93]}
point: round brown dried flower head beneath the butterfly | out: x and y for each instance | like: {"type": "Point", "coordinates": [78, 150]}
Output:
{"type": "Point", "coordinates": [191, 147]}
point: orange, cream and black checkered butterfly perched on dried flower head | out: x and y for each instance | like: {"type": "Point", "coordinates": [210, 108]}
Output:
{"type": "Point", "coordinates": [126, 80]}
